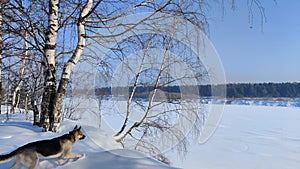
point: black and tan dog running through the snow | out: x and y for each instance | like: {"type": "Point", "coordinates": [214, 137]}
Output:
{"type": "Point", "coordinates": [59, 147]}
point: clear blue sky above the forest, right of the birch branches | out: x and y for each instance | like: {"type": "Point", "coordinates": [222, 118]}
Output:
{"type": "Point", "coordinates": [252, 55]}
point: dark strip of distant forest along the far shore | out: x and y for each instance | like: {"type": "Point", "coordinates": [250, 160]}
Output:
{"type": "Point", "coordinates": [238, 90]}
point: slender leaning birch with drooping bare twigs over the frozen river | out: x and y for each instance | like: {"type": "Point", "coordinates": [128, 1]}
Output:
{"type": "Point", "coordinates": [153, 113]}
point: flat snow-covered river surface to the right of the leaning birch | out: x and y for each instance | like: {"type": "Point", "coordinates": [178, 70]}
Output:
{"type": "Point", "coordinates": [260, 137]}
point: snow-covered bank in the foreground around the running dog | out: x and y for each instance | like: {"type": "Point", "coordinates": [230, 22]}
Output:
{"type": "Point", "coordinates": [104, 154]}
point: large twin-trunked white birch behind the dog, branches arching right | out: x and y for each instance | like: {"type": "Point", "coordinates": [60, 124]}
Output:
{"type": "Point", "coordinates": [60, 30]}
